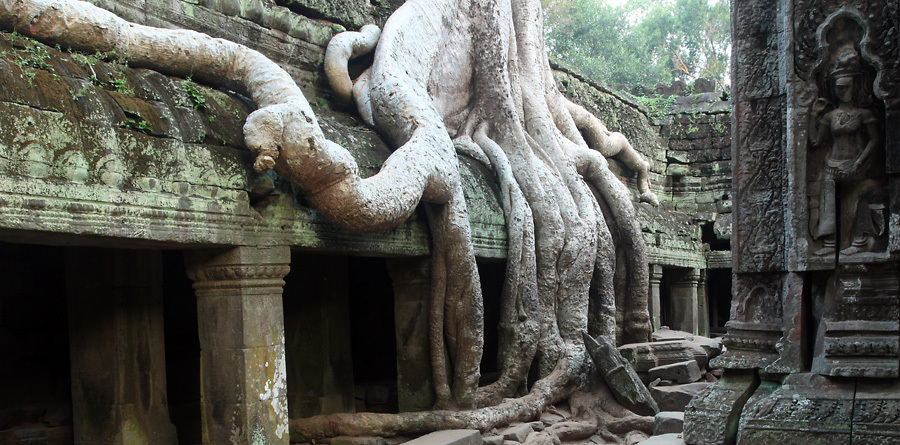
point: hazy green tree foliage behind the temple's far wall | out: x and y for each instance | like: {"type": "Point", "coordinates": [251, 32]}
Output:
{"type": "Point", "coordinates": [643, 42]}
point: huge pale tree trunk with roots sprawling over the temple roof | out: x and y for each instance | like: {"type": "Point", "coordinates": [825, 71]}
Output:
{"type": "Point", "coordinates": [448, 75]}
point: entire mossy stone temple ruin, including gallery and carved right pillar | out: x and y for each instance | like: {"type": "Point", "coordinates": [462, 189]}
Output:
{"type": "Point", "coordinates": [159, 290]}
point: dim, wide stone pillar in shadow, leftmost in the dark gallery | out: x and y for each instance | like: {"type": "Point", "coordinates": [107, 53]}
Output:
{"type": "Point", "coordinates": [116, 340]}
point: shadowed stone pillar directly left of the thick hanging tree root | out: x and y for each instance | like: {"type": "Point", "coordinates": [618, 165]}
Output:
{"type": "Point", "coordinates": [412, 288]}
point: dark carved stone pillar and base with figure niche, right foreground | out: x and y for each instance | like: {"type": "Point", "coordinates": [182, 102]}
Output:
{"type": "Point", "coordinates": [814, 333]}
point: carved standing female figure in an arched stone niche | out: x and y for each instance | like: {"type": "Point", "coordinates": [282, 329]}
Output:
{"type": "Point", "coordinates": [846, 182]}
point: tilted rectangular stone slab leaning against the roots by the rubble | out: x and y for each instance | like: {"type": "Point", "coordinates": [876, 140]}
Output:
{"type": "Point", "coordinates": [621, 378]}
